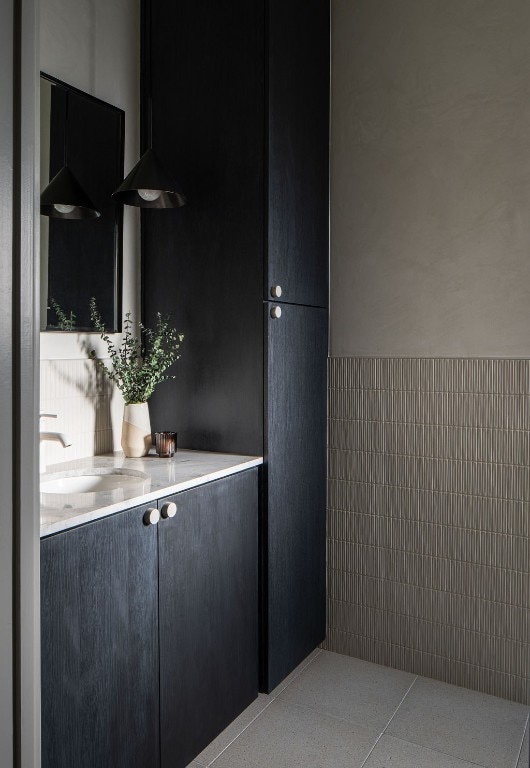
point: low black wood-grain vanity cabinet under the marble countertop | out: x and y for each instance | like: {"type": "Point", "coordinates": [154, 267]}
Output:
{"type": "Point", "coordinates": [150, 632]}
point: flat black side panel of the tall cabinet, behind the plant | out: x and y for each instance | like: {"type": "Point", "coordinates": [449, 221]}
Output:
{"type": "Point", "coordinates": [203, 264]}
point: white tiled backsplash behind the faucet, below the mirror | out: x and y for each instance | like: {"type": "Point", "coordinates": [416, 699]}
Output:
{"type": "Point", "coordinates": [86, 405]}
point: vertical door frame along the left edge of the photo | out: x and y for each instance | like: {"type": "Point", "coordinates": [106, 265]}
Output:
{"type": "Point", "coordinates": [19, 355]}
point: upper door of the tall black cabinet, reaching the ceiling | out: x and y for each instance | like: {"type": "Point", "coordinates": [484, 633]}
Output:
{"type": "Point", "coordinates": [298, 150]}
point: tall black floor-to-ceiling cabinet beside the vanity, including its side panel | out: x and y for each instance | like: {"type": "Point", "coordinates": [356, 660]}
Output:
{"type": "Point", "coordinates": [238, 95]}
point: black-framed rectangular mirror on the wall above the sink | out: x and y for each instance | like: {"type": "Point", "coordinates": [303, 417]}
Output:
{"type": "Point", "coordinates": [81, 258]}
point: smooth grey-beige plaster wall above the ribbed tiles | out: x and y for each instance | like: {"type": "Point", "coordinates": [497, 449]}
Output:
{"type": "Point", "coordinates": [430, 178]}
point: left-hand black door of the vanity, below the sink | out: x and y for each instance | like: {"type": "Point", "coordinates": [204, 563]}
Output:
{"type": "Point", "coordinates": [99, 645]}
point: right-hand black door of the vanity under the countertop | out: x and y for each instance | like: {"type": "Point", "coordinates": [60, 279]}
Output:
{"type": "Point", "coordinates": [207, 613]}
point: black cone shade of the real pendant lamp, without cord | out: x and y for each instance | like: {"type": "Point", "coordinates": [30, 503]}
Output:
{"type": "Point", "coordinates": [149, 186]}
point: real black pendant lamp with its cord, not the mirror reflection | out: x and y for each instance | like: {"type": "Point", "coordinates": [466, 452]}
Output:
{"type": "Point", "coordinates": [148, 185]}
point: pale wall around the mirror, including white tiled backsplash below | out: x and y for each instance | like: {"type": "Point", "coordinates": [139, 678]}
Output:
{"type": "Point", "coordinates": [93, 45]}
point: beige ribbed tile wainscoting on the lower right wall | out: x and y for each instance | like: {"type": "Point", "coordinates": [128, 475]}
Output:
{"type": "Point", "coordinates": [429, 518]}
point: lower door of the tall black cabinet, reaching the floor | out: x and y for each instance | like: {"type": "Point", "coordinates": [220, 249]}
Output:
{"type": "Point", "coordinates": [294, 528]}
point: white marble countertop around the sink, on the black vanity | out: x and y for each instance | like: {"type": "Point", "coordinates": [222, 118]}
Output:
{"type": "Point", "coordinates": [156, 478]}
